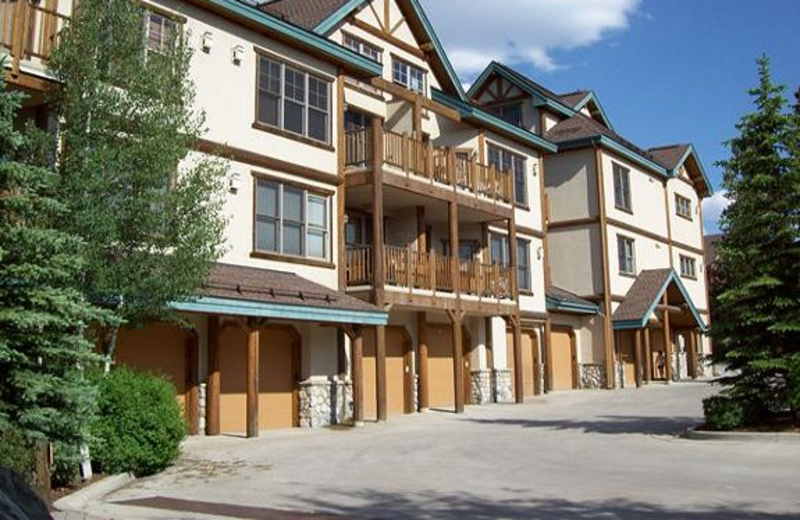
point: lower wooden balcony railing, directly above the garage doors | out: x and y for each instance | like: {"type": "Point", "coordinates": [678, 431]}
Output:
{"type": "Point", "coordinates": [407, 268]}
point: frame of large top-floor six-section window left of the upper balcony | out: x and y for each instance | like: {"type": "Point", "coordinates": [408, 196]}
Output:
{"type": "Point", "coordinates": [307, 106]}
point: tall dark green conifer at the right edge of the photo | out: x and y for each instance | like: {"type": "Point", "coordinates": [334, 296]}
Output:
{"type": "Point", "coordinates": [757, 323]}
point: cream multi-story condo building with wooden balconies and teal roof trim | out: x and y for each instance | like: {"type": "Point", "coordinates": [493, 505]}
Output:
{"type": "Point", "coordinates": [387, 245]}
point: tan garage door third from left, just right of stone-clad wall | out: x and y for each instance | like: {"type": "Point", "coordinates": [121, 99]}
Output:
{"type": "Point", "coordinates": [396, 366]}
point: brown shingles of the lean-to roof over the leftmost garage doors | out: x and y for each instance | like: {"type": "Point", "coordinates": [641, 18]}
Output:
{"type": "Point", "coordinates": [265, 285]}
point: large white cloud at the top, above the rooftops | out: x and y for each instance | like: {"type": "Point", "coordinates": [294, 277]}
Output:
{"type": "Point", "coordinates": [522, 31]}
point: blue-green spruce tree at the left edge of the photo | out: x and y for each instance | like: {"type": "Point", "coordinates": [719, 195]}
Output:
{"type": "Point", "coordinates": [44, 350]}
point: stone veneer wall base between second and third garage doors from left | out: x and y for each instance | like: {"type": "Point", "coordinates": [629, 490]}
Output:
{"type": "Point", "coordinates": [325, 403]}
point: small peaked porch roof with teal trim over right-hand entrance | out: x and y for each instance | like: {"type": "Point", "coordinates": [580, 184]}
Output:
{"type": "Point", "coordinates": [645, 294]}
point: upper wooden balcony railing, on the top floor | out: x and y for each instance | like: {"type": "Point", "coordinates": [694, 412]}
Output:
{"type": "Point", "coordinates": [435, 164]}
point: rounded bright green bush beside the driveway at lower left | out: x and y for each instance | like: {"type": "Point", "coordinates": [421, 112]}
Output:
{"type": "Point", "coordinates": [140, 427]}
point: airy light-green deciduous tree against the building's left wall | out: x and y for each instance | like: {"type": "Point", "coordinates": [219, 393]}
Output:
{"type": "Point", "coordinates": [147, 207]}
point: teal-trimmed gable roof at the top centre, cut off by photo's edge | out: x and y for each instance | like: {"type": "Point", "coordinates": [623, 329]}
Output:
{"type": "Point", "coordinates": [330, 14]}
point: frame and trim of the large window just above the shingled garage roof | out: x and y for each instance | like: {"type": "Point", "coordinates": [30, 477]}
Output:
{"type": "Point", "coordinates": [308, 190]}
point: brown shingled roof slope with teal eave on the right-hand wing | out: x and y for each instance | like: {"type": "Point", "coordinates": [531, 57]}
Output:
{"type": "Point", "coordinates": [579, 131]}
